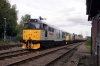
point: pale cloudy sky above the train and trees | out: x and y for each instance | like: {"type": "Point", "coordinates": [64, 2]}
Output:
{"type": "Point", "coordinates": [68, 15]}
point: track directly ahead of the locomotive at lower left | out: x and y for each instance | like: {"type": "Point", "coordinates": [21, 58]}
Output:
{"type": "Point", "coordinates": [11, 56]}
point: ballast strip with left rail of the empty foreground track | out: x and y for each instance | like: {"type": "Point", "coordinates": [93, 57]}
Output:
{"type": "Point", "coordinates": [26, 57]}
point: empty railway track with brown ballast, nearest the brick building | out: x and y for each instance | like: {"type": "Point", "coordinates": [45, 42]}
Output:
{"type": "Point", "coordinates": [46, 56]}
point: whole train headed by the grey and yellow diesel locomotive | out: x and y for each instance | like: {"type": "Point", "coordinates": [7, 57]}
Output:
{"type": "Point", "coordinates": [37, 34]}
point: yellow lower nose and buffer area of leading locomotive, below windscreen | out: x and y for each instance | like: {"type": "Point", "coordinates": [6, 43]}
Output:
{"type": "Point", "coordinates": [31, 39]}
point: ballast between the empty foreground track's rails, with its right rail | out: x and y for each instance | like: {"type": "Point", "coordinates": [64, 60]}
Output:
{"type": "Point", "coordinates": [51, 58]}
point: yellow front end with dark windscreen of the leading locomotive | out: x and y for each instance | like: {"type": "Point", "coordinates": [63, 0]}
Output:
{"type": "Point", "coordinates": [31, 35]}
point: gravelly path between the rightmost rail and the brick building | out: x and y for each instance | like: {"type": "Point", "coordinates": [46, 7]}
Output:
{"type": "Point", "coordinates": [82, 57]}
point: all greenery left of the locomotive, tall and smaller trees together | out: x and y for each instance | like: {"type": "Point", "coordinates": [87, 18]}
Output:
{"type": "Point", "coordinates": [8, 14]}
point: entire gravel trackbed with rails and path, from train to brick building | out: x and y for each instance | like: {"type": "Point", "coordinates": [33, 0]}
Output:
{"type": "Point", "coordinates": [68, 55]}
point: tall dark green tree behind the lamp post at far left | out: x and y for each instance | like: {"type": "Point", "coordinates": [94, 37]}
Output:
{"type": "Point", "coordinates": [10, 13]}
